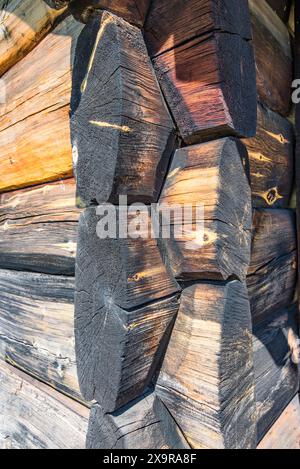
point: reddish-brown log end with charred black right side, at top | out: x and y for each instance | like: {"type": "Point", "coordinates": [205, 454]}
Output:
{"type": "Point", "coordinates": [218, 97]}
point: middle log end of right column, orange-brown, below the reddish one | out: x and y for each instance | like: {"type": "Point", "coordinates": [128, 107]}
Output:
{"type": "Point", "coordinates": [210, 174]}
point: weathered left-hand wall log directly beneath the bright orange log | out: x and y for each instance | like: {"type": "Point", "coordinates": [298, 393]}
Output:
{"type": "Point", "coordinates": [38, 228]}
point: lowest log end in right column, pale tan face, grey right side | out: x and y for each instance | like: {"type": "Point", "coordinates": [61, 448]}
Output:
{"type": "Point", "coordinates": [207, 380]}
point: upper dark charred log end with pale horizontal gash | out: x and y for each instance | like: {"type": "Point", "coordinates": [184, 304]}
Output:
{"type": "Point", "coordinates": [122, 133]}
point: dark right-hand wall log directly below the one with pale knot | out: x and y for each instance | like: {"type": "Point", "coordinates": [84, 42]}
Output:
{"type": "Point", "coordinates": [273, 269]}
